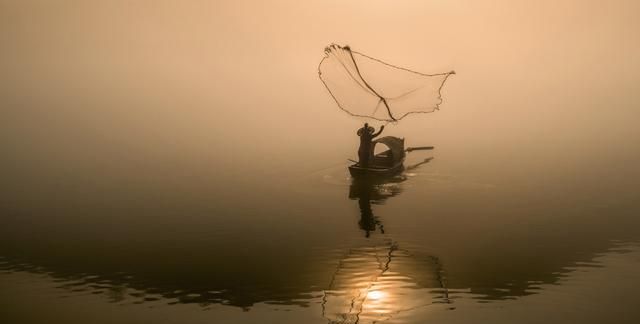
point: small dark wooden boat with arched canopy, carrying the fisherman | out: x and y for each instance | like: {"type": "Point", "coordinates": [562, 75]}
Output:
{"type": "Point", "coordinates": [386, 163]}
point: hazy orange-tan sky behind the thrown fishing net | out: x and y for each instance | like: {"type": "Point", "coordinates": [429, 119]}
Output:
{"type": "Point", "coordinates": [162, 80]}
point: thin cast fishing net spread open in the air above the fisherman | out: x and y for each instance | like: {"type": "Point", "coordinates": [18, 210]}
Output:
{"type": "Point", "coordinates": [364, 86]}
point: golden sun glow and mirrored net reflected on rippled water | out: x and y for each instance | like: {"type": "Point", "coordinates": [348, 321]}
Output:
{"type": "Point", "coordinates": [376, 283]}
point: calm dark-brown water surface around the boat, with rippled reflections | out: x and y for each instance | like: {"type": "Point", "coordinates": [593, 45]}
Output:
{"type": "Point", "coordinates": [319, 247]}
